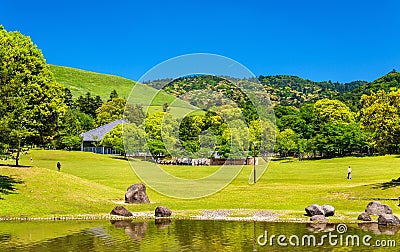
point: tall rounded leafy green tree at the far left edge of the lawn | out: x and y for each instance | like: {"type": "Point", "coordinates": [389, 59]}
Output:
{"type": "Point", "coordinates": [31, 101]}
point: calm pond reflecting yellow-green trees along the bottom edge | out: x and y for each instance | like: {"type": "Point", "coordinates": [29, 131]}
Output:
{"type": "Point", "coordinates": [194, 235]}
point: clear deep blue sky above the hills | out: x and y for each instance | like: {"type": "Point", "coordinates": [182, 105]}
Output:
{"type": "Point", "coordinates": [318, 40]}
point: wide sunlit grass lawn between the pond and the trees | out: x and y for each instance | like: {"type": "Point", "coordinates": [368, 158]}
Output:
{"type": "Point", "coordinates": [94, 184]}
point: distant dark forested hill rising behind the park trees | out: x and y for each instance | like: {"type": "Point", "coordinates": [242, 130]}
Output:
{"type": "Point", "coordinates": [290, 90]}
